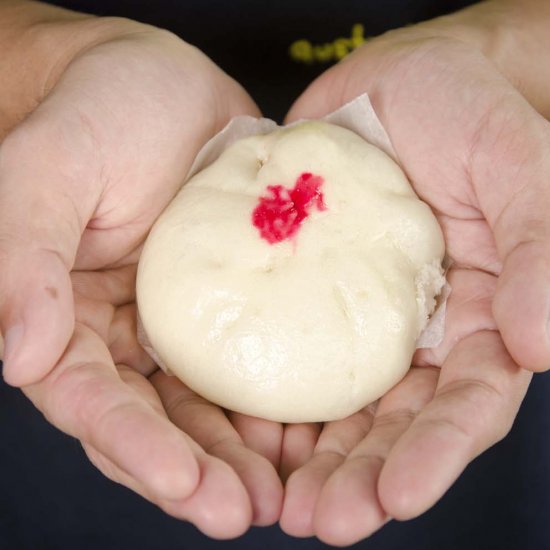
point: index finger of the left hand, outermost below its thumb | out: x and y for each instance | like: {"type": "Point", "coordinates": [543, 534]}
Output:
{"type": "Point", "coordinates": [85, 398]}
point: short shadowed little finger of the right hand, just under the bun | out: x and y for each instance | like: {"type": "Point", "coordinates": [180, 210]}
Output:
{"type": "Point", "coordinates": [299, 441]}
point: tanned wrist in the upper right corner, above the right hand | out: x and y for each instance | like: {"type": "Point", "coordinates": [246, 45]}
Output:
{"type": "Point", "coordinates": [513, 34]}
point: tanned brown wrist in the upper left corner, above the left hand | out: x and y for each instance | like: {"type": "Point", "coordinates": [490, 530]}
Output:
{"type": "Point", "coordinates": [38, 42]}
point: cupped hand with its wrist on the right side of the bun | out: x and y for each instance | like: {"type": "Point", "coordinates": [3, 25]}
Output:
{"type": "Point", "coordinates": [478, 152]}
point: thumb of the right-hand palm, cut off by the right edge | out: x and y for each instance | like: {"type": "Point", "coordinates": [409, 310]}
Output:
{"type": "Point", "coordinates": [510, 167]}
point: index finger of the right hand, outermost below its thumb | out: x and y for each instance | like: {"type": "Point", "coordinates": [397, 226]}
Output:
{"type": "Point", "coordinates": [478, 395]}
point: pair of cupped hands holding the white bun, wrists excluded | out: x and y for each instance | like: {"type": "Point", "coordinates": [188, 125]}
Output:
{"type": "Point", "coordinates": [87, 172]}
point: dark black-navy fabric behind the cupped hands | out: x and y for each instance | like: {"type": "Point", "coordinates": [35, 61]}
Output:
{"type": "Point", "coordinates": [51, 498]}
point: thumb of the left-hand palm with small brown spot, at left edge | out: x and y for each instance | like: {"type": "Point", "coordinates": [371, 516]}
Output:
{"type": "Point", "coordinates": [43, 213]}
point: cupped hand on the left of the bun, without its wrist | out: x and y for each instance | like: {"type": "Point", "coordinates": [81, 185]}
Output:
{"type": "Point", "coordinates": [82, 179]}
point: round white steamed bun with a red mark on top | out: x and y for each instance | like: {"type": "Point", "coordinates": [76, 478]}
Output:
{"type": "Point", "coordinates": [291, 278]}
